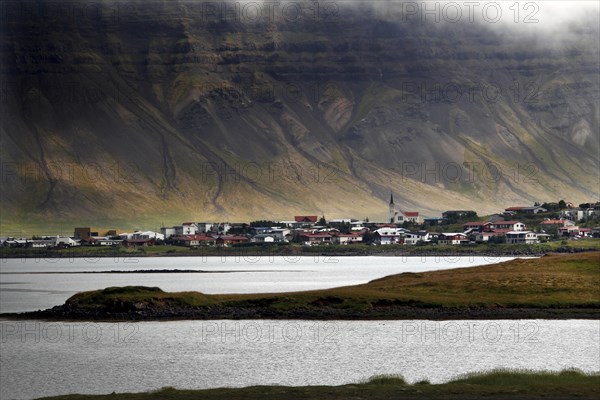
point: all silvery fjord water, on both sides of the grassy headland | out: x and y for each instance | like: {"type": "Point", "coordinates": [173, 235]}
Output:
{"type": "Point", "coordinates": [51, 358]}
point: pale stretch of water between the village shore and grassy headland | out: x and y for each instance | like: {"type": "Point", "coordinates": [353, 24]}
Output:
{"type": "Point", "coordinates": [29, 284]}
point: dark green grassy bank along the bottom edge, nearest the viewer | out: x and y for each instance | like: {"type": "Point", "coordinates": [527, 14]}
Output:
{"type": "Point", "coordinates": [500, 384]}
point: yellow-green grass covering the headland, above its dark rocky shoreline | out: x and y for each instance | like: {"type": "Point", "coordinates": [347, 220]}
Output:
{"type": "Point", "coordinates": [551, 281]}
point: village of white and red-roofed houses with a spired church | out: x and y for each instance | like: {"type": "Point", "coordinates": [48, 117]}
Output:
{"type": "Point", "coordinates": [514, 225]}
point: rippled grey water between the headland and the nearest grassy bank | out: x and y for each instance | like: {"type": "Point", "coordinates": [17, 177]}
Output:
{"type": "Point", "coordinates": [44, 359]}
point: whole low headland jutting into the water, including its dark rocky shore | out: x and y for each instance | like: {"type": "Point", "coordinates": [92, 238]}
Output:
{"type": "Point", "coordinates": [553, 286]}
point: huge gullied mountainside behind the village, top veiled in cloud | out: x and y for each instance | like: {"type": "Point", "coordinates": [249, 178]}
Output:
{"type": "Point", "coordinates": [139, 113]}
